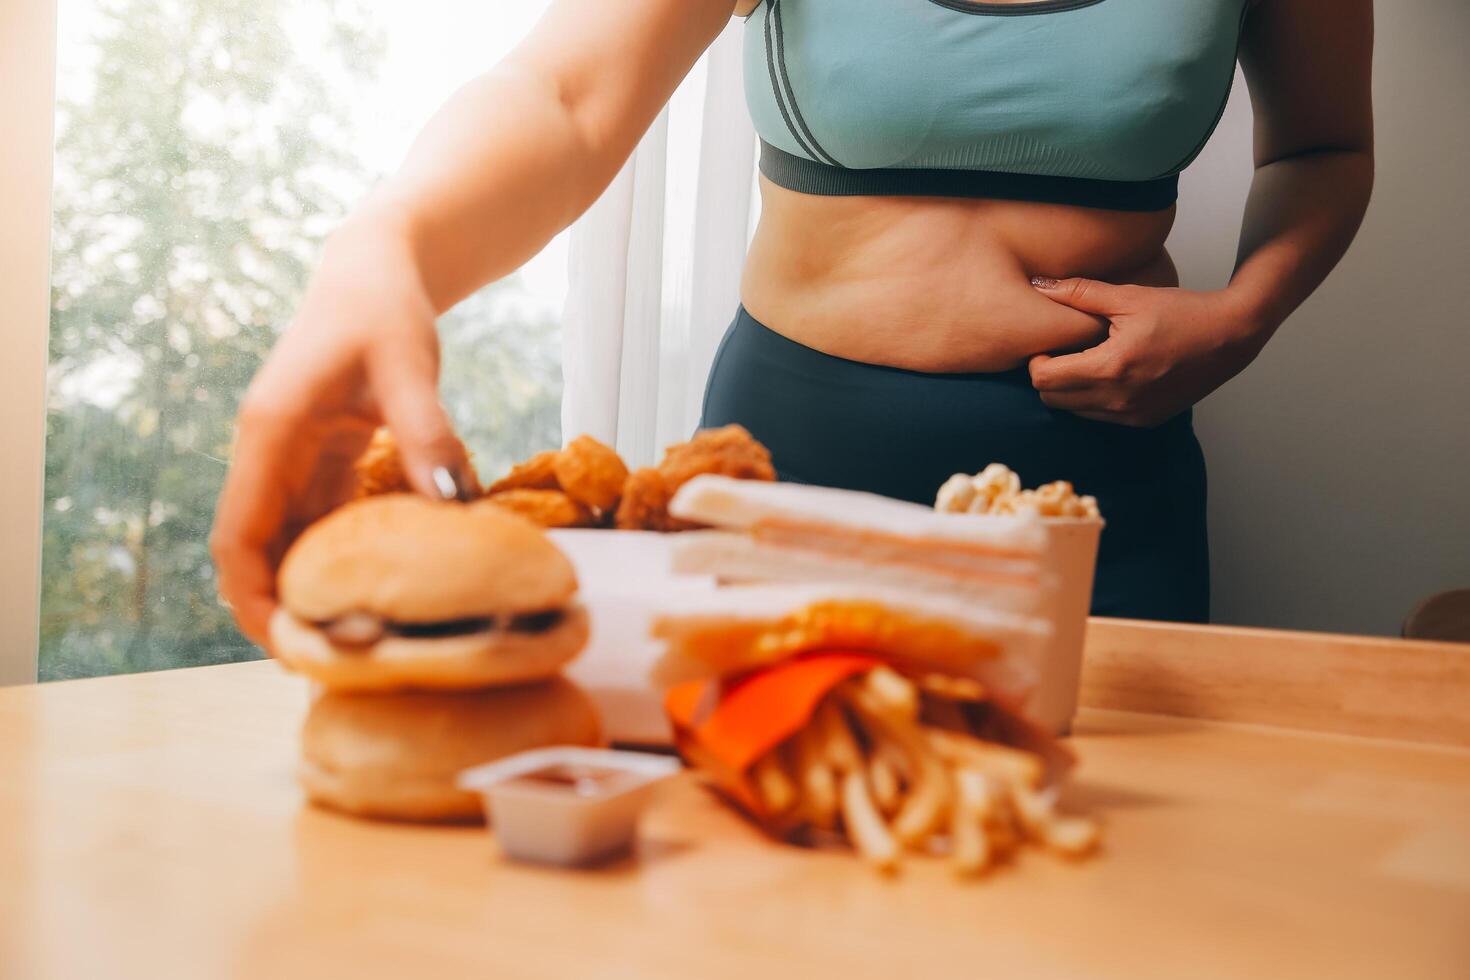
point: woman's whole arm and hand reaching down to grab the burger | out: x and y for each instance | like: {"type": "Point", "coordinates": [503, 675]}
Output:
{"type": "Point", "coordinates": [511, 161]}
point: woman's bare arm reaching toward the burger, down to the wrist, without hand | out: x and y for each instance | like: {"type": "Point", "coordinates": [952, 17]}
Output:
{"type": "Point", "coordinates": [521, 152]}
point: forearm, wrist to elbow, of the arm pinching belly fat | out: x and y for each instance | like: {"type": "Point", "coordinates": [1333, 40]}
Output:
{"type": "Point", "coordinates": [1300, 218]}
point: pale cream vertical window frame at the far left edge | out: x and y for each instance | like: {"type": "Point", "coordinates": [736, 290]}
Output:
{"type": "Point", "coordinates": [29, 112]}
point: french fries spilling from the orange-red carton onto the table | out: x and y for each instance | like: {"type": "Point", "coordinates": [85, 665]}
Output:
{"type": "Point", "coordinates": [870, 766]}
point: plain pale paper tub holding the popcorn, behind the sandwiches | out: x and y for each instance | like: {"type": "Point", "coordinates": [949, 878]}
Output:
{"type": "Point", "coordinates": [1072, 555]}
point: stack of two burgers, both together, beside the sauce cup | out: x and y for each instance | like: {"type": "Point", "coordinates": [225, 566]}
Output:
{"type": "Point", "coordinates": [439, 633]}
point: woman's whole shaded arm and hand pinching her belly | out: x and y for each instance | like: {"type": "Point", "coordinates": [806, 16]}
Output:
{"type": "Point", "coordinates": [1309, 68]}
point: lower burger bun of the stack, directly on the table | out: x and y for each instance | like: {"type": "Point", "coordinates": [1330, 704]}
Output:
{"type": "Point", "coordinates": [395, 757]}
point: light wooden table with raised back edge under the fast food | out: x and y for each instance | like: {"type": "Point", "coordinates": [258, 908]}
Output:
{"type": "Point", "coordinates": [151, 828]}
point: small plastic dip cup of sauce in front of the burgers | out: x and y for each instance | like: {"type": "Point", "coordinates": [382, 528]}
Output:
{"type": "Point", "coordinates": [561, 824]}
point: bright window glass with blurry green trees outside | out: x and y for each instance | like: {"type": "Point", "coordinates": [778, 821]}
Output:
{"type": "Point", "coordinates": [204, 151]}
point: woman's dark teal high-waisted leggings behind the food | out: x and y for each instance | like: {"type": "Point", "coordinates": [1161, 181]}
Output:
{"type": "Point", "coordinates": [899, 433]}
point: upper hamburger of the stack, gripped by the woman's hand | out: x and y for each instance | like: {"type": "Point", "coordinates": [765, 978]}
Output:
{"type": "Point", "coordinates": [404, 593]}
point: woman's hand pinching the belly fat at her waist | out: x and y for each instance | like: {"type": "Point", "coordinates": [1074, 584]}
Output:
{"type": "Point", "coordinates": [1166, 350]}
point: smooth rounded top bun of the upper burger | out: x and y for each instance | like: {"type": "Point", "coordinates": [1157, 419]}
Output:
{"type": "Point", "coordinates": [414, 561]}
